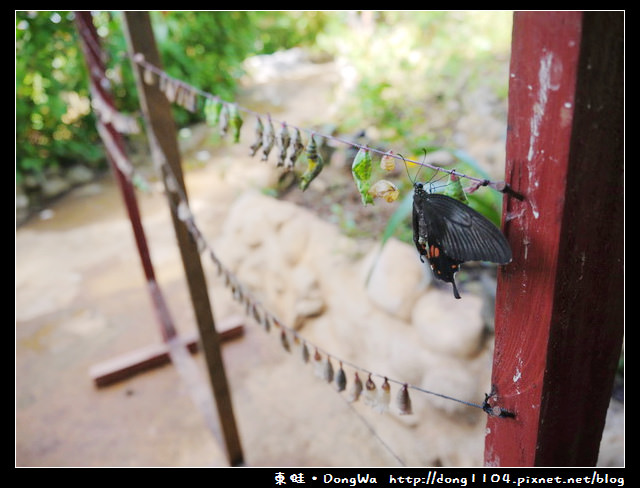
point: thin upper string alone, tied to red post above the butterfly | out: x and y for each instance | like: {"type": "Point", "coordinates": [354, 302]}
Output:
{"type": "Point", "coordinates": [500, 186]}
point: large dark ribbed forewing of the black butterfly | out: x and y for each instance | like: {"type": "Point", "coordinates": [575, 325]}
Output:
{"type": "Point", "coordinates": [463, 233]}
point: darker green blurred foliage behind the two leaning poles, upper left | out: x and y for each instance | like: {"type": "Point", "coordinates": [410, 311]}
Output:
{"type": "Point", "coordinates": [54, 123]}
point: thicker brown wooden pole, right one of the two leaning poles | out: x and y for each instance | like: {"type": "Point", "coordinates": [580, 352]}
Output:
{"type": "Point", "coordinates": [162, 135]}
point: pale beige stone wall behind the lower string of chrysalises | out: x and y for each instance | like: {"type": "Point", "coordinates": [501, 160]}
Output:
{"type": "Point", "coordinates": [375, 308]}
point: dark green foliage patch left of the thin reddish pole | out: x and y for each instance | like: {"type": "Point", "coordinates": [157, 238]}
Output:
{"type": "Point", "coordinates": [53, 116]}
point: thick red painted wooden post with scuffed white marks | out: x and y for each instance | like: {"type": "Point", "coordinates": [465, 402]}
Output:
{"type": "Point", "coordinates": [559, 308]}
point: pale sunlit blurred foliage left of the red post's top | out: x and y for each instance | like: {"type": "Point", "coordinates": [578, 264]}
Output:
{"type": "Point", "coordinates": [408, 70]}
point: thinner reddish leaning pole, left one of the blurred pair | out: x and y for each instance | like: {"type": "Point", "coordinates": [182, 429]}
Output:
{"type": "Point", "coordinates": [94, 59]}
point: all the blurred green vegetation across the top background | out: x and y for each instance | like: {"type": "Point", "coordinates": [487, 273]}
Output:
{"type": "Point", "coordinates": [407, 69]}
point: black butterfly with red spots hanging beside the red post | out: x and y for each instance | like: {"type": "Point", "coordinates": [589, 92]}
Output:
{"type": "Point", "coordinates": [448, 233]}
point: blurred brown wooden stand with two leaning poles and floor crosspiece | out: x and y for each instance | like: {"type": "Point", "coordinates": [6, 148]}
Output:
{"type": "Point", "coordinates": [162, 136]}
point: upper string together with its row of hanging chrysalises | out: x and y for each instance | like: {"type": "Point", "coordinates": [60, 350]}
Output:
{"type": "Point", "coordinates": [227, 115]}
